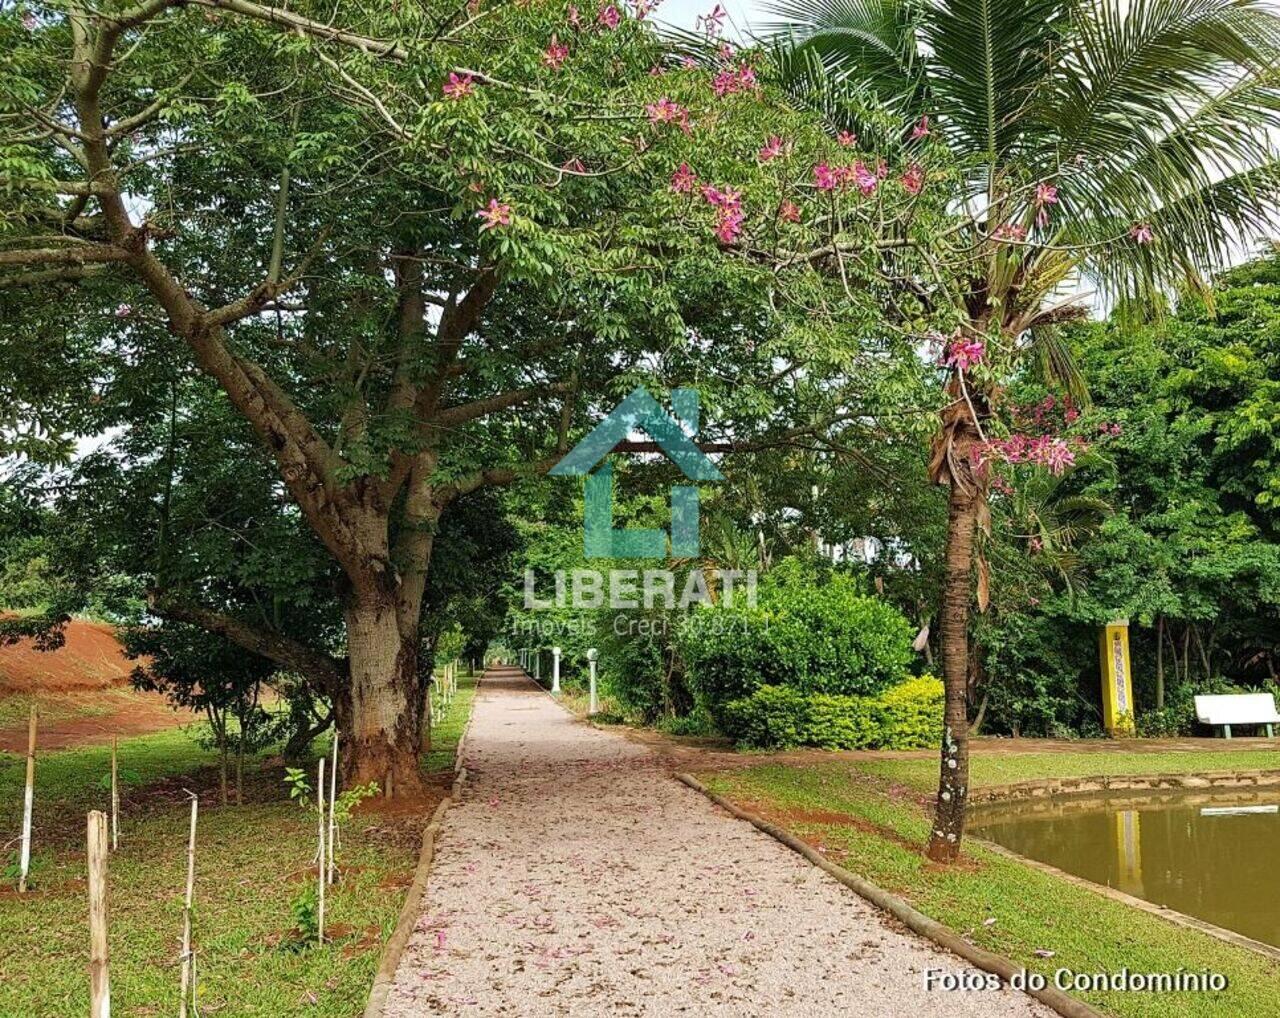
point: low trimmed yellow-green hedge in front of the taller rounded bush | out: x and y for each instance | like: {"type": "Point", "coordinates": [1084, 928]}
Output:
{"type": "Point", "coordinates": [906, 716]}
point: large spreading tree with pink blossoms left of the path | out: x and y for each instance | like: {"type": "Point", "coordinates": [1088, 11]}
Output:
{"type": "Point", "coordinates": [378, 252]}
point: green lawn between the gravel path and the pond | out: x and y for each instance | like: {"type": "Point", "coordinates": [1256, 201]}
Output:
{"type": "Point", "coordinates": [858, 812]}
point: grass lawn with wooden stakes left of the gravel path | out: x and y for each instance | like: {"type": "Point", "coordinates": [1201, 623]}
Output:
{"type": "Point", "coordinates": [253, 862]}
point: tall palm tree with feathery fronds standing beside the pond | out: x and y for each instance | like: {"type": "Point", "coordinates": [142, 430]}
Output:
{"type": "Point", "coordinates": [1124, 144]}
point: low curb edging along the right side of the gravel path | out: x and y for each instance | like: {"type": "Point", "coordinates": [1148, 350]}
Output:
{"type": "Point", "coordinates": [915, 920]}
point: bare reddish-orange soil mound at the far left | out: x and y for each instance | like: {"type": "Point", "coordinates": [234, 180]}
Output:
{"type": "Point", "coordinates": [92, 659]}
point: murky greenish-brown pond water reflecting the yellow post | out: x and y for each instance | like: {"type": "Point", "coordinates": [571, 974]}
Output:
{"type": "Point", "coordinates": [1210, 857]}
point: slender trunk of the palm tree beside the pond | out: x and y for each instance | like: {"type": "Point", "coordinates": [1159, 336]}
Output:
{"type": "Point", "coordinates": [954, 782]}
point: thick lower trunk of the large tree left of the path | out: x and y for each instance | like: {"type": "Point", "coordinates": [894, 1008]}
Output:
{"type": "Point", "coordinates": [382, 743]}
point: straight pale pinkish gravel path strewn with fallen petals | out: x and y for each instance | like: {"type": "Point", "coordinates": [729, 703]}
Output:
{"type": "Point", "coordinates": [579, 878]}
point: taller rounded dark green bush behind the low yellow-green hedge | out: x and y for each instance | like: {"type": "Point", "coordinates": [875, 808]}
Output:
{"type": "Point", "coordinates": [811, 637]}
